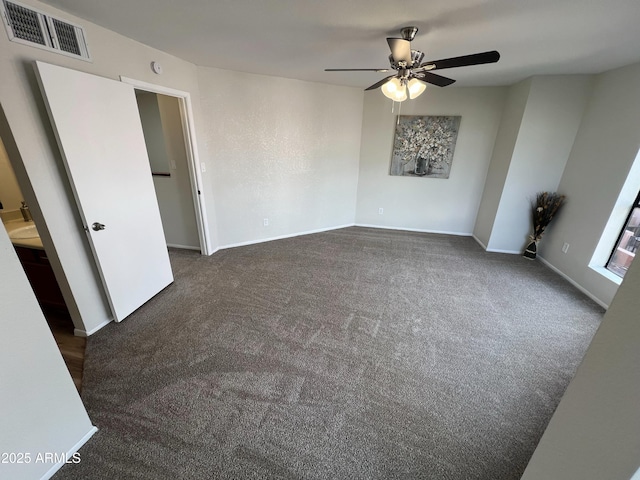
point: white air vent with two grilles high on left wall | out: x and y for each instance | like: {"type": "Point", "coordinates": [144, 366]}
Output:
{"type": "Point", "coordinates": [29, 26]}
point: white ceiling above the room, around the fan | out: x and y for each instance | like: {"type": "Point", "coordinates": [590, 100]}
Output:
{"type": "Point", "coordinates": [300, 38]}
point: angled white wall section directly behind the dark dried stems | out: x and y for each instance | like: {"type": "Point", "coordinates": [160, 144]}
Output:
{"type": "Point", "coordinates": [547, 130]}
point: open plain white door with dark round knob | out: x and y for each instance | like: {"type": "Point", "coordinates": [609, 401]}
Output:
{"type": "Point", "coordinates": [98, 129]}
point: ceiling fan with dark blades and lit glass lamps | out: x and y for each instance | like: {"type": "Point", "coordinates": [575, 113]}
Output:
{"type": "Point", "coordinates": [412, 73]}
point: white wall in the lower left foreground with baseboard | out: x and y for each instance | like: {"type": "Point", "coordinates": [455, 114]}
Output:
{"type": "Point", "coordinates": [41, 409]}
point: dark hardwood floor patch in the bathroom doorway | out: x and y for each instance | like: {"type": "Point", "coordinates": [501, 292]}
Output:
{"type": "Point", "coordinates": [71, 347]}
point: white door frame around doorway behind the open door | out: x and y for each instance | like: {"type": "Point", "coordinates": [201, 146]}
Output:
{"type": "Point", "coordinates": [193, 160]}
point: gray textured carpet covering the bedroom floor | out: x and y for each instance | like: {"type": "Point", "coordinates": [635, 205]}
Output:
{"type": "Point", "coordinates": [355, 353]}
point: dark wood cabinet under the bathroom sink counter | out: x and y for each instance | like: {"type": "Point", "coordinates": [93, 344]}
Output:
{"type": "Point", "coordinates": [40, 274]}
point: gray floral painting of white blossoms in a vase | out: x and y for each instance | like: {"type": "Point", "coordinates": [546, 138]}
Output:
{"type": "Point", "coordinates": [423, 146]}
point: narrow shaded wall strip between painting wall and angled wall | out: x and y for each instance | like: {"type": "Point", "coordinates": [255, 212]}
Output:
{"type": "Point", "coordinates": [507, 136]}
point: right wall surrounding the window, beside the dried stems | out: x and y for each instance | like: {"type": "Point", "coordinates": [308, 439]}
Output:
{"type": "Point", "coordinates": [604, 150]}
